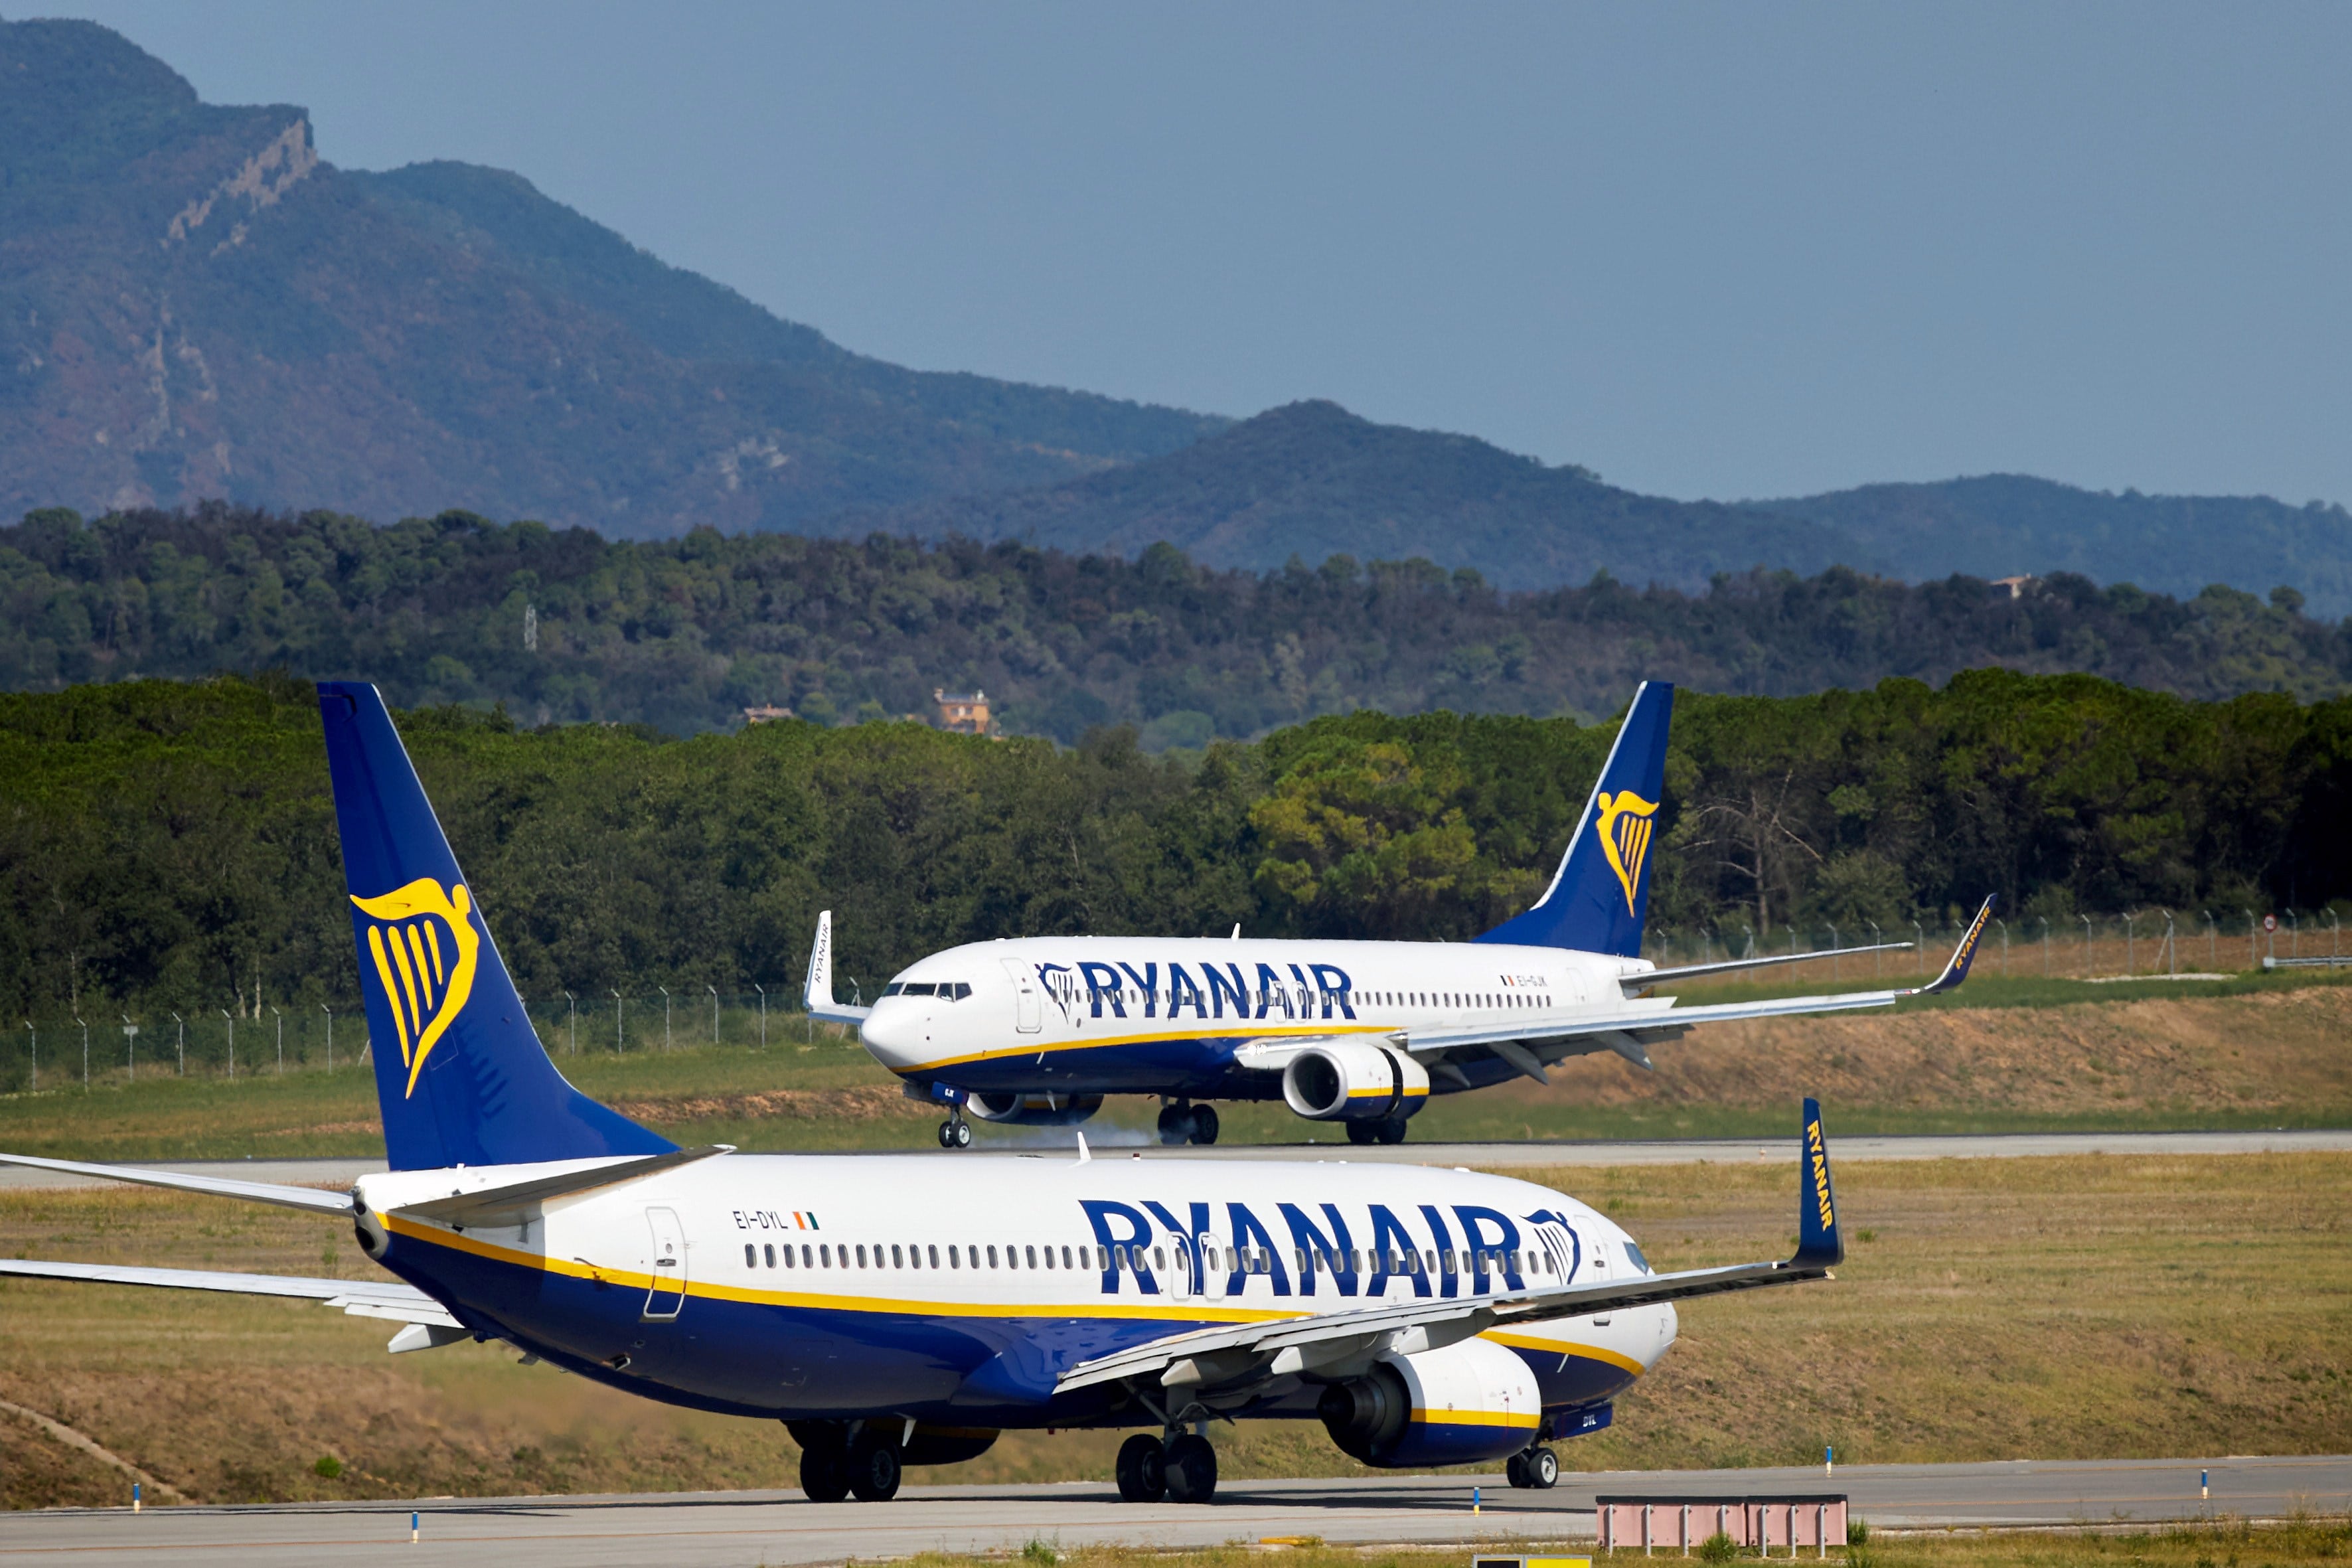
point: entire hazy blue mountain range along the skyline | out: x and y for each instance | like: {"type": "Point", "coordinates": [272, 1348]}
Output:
{"type": "Point", "coordinates": [194, 304]}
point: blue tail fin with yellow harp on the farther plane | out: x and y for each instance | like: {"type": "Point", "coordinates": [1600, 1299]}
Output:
{"type": "Point", "coordinates": [1601, 894]}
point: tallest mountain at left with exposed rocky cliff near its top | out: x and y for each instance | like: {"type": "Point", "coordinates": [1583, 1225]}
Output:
{"type": "Point", "coordinates": [196, 304]}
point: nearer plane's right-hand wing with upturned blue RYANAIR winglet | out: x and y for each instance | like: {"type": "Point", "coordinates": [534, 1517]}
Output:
{"type": "Point", "coordinates": [1250, 1353]}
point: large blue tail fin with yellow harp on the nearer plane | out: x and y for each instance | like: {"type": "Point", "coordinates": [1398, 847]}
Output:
{"type": "Point", "coordinates": [460, 1073]}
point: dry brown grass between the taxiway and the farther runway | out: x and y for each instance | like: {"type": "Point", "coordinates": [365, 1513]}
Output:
{"type": "Point", "coordinates": [2047, 1308]}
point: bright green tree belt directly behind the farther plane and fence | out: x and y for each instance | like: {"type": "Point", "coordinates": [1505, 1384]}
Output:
{"type": "Point", "coordinates": [173, 845]}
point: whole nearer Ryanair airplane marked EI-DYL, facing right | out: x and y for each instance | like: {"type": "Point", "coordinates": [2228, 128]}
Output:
{"type": "Point", "coordinates": [893, 1315]}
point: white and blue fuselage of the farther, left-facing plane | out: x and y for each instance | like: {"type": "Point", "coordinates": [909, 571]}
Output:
{"type": "Point", "coordinates": [1170, 1014]}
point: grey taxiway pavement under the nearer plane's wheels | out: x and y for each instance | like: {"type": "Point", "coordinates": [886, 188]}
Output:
{"type": "Point", "coordinates": [742, 1529]}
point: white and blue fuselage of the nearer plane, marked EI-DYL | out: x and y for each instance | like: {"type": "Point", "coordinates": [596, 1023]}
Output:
{"type": "Point", "coordinates": [860, 1287]}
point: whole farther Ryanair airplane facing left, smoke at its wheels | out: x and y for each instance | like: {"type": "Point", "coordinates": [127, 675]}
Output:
{"type": "Point", "coordinates": [1038, 1031]}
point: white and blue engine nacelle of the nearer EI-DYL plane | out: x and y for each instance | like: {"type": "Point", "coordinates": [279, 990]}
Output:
{"type": "Point", "coordinates": [1443, 1407]}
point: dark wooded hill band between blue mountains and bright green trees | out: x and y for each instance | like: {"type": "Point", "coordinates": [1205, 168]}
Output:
{"type": "Point", "coordinates": [686, 634]}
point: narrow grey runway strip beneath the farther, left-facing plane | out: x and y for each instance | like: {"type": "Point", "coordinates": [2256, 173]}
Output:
{"type": "Point", "coordinates": [1490, 1155]}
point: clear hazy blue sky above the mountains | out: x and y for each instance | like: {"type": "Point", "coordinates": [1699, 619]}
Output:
{"type": "Point", "coordinates": [1709, 250]}
